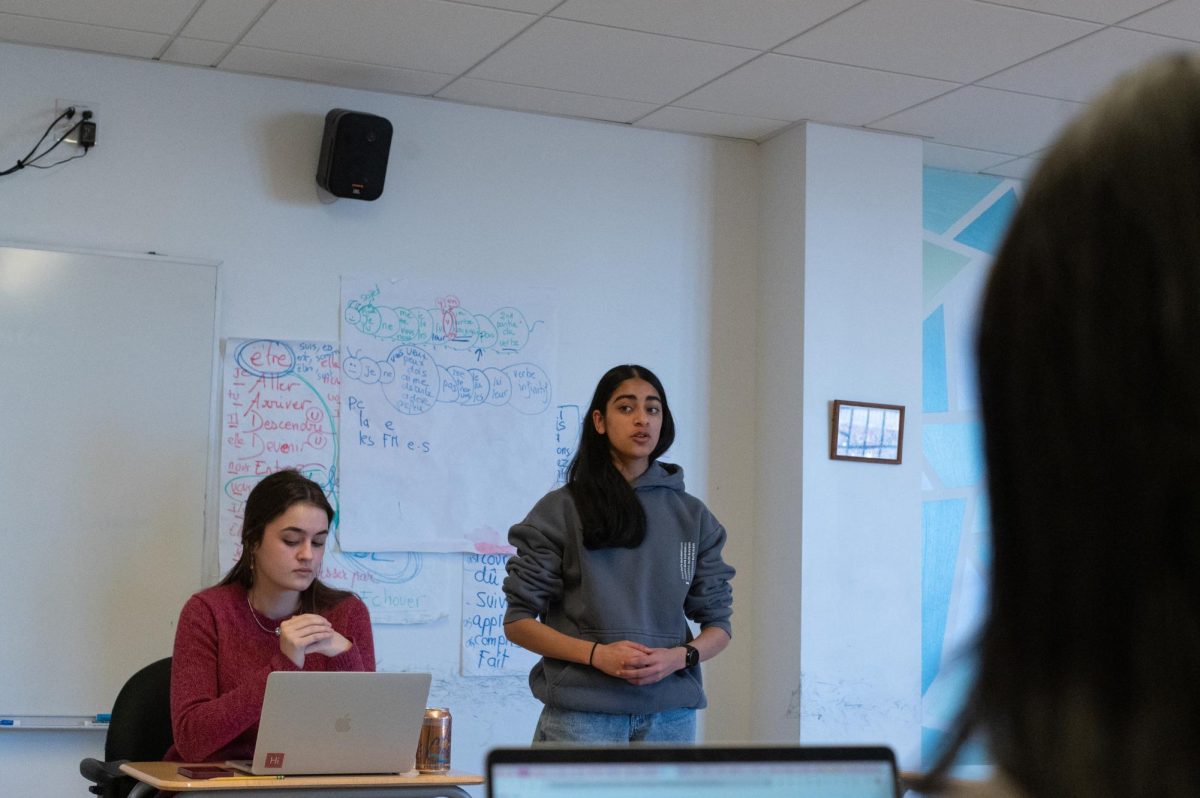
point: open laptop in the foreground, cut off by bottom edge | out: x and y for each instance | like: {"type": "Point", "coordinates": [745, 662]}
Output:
{"type": "Point", "coordinates": [693, 772]}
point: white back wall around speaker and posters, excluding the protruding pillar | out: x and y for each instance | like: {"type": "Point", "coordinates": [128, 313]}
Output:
{"type": "Point", "coordinates": [647, 238]}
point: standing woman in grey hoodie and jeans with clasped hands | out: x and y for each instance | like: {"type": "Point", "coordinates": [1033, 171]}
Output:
{"type": "Point", "coordinates": [609, 569]}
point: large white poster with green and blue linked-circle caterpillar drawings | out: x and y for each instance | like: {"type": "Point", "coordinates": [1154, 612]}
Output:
{"type": "Point", "coordinates": [449, 416]}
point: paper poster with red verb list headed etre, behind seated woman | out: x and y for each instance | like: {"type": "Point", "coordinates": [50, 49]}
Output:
{"type": "Point", "coordinates": [280, 404]}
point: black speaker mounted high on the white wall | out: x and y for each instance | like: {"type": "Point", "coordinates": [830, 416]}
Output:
{"type": "Point", "coordinates": [355, 154]}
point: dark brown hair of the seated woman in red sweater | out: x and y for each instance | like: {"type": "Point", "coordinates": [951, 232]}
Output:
{"type": "Point", "coordinates": [274, 496]}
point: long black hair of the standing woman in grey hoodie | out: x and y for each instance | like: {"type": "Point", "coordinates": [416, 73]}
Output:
{"type": "Point", "coordinates": [609, 511]}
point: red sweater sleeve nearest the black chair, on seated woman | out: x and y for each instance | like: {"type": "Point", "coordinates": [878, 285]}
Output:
{"type": "Point", "coordinates": [203, 719]}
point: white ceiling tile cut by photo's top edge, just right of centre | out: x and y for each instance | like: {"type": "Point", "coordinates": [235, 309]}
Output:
{"type": "Point", "coordinates": [760, 25]}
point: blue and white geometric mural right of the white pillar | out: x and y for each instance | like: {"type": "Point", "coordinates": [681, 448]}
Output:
{"type": "Point", "coordinates": [965, 217]}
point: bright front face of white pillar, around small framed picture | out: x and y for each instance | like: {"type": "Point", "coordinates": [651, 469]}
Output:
{"type": "Point", "coordinates": [861, 579]}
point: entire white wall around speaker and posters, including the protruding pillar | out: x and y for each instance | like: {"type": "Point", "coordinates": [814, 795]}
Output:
{"type": "Point", "coordinates": [652, 242]}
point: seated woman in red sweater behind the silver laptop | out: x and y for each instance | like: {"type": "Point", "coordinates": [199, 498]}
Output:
{"type": "Point", "coordinates": [269, 614]}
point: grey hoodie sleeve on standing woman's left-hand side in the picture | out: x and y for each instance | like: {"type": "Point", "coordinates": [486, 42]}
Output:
{"type": "Point", "coordinates": [536, 573]}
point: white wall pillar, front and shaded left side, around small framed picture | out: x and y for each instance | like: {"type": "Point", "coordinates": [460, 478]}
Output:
{"type": "Point", "coordinates": [842, 284]}
